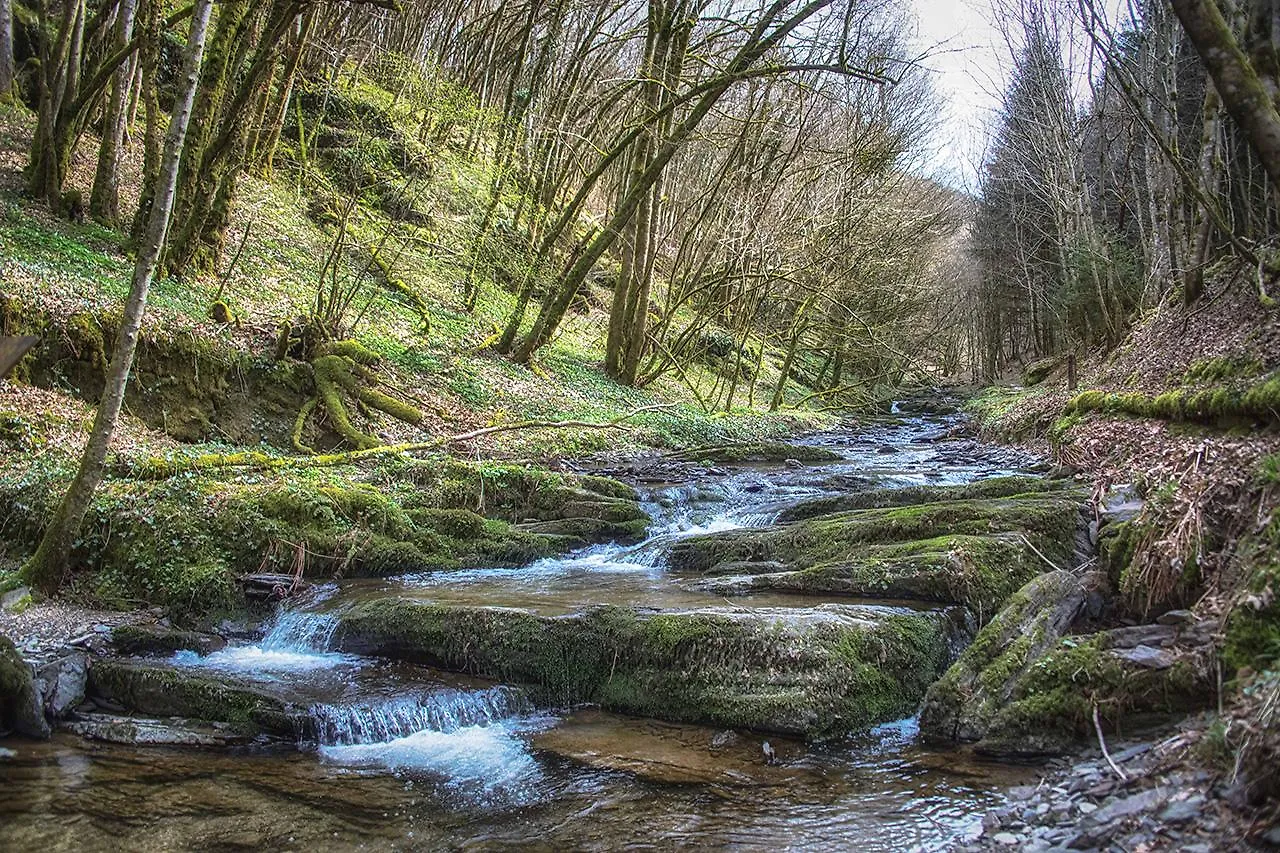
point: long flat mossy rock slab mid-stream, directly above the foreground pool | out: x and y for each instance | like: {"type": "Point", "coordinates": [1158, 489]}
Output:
{"type": "Point", "coordinates": [812, 673]}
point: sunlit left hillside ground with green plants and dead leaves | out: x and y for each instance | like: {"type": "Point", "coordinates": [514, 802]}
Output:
{"type": "Point", "coordinates": [214, 389]}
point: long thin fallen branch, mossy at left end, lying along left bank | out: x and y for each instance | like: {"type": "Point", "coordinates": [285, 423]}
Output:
{"type": "Point", "coordinates": [253, 460]}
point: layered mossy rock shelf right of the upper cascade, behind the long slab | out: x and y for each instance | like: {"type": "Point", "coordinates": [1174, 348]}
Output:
{"type": "Point", "coordinates": [968, 551]}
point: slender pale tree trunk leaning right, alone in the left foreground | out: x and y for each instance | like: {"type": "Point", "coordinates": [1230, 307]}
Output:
{"type": "Point", "coordinates": [48, 567]}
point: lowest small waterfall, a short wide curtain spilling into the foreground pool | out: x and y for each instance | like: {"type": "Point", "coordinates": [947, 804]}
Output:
{"type": "Point", "coordinates": [445, 711]}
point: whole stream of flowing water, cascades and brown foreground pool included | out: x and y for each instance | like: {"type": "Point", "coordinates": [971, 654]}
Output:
{"type": "Point", "coordinates": [406, 758]}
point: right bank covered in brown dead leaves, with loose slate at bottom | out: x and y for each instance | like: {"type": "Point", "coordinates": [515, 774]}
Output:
{"type": "Point", "coordinates": [1206, 541]}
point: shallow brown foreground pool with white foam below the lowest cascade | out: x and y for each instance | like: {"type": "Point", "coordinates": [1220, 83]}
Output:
{"type": "Point", "coordinates": [602, 783]}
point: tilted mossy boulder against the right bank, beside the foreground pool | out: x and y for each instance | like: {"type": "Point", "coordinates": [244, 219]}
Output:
{"type": "Point", "coordinates": [1027, 688]}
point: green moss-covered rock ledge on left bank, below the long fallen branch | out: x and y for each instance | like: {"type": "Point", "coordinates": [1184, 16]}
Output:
{"type": "Point", "coordinates": [184, 539]}
